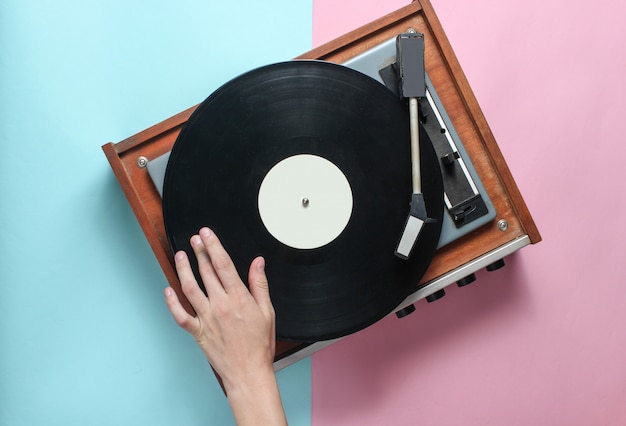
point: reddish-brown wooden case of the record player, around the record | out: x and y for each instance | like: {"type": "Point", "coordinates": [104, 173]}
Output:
{"type": "Point", "coordinates": [512, 229]}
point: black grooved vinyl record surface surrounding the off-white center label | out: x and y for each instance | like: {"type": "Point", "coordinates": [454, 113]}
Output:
{"type": "Point", "coordinates": [246, 127]}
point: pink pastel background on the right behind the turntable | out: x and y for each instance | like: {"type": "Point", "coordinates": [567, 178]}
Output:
{"type": "Point", "coordinates": [542, 341]}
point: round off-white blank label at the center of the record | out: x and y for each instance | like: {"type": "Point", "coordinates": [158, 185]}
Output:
{"type": "Point", "coordinates": [305, 201]}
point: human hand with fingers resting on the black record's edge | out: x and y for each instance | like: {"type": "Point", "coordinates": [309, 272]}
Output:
{"type": "Point", "coordinates": [234, 327]}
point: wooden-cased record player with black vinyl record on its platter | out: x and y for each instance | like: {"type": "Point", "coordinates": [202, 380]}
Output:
{"type": "Point", "coordinates": [335, 111]}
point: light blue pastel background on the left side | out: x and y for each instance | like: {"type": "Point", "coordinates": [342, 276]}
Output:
{"type": "Point", "coordinates": [85, 337]}
